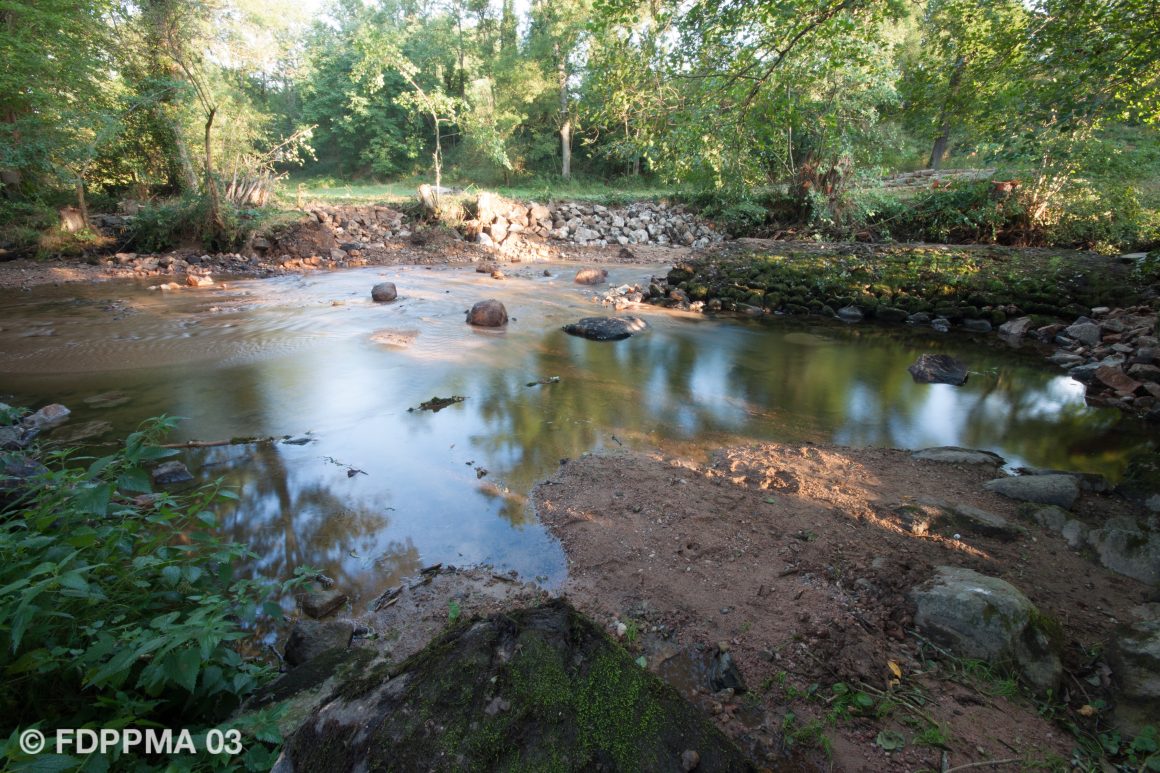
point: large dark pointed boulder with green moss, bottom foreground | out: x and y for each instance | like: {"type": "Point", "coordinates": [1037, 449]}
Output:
{"type": "Point", "coordinates": [540, 690]}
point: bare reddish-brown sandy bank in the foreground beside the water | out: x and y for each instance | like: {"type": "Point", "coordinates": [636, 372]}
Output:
{"type": "Point", "coordinates": [792, 559]}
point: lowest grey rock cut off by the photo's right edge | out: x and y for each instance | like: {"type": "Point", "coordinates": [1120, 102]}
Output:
{"type": "Point", "coordinates": [1135, 659]}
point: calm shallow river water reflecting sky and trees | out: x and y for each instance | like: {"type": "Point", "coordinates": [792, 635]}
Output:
{"type": "Point", "coordinates": [381, 492]}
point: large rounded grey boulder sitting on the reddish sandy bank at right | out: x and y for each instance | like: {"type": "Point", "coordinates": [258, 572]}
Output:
{"type": "Point", "coordinates": [989, 619]}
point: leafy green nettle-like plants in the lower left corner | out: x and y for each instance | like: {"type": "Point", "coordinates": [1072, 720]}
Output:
{"type": "Point", "coordinates": [121, 606]}
